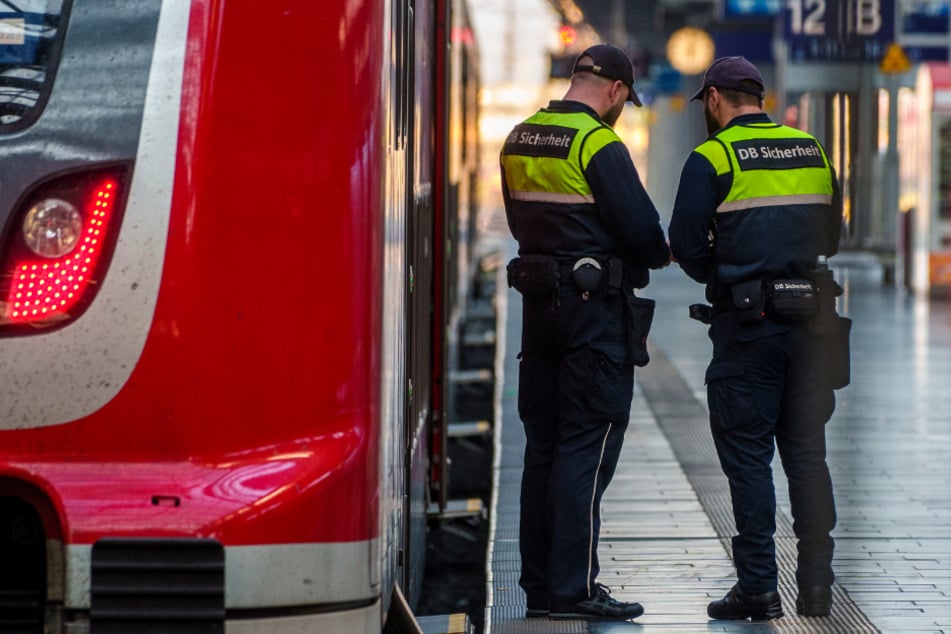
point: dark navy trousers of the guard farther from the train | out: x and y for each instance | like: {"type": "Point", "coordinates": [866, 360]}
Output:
{"type": "Point", "coordinates": [760, 391]}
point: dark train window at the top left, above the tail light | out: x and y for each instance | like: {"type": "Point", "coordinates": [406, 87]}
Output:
{"type": "Point", "coordinates": [31, 34]}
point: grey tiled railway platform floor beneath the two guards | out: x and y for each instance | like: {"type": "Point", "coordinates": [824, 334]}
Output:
{"type": "Point", "coordinates": [667, 519]}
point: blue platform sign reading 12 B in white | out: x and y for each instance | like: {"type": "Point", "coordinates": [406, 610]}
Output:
{"type": "Point", "coordinates": [843, 30]}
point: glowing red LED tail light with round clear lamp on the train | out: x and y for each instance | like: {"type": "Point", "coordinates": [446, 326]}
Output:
{"type": "Point", "coordinates": [51, 285]}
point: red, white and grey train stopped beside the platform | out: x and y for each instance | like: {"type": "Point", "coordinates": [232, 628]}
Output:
{"type": "Point", "coordinates": [237, 237]}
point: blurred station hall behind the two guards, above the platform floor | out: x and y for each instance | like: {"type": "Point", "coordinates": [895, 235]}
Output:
{"type": "Point", "coordinates": [870, 78]}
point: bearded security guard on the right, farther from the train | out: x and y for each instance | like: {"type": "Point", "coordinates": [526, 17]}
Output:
{"type": "Point", "coordinates": [758, 204]}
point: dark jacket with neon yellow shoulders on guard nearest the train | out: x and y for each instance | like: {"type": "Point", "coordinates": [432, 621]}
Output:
{"type": "Point", "coordinates": [571, 190]}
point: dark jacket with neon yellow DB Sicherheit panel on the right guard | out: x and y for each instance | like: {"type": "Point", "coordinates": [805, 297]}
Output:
{"type": "Point", "coordinates": [768, 196]}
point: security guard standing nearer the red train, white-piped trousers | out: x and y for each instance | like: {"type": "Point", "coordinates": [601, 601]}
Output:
{"type": "Point", "coordinates": [587, 234]}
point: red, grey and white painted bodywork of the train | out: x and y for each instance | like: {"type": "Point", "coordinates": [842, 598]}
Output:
{"type": "Point", "coordinates": [240, 376]}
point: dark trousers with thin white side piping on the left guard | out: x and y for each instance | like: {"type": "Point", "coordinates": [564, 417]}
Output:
{"type": "Point", "coordinates": [575, 390]}
